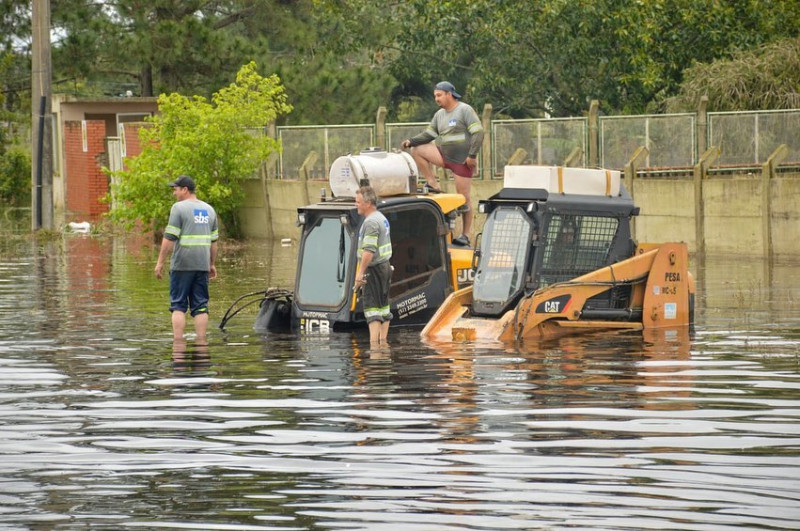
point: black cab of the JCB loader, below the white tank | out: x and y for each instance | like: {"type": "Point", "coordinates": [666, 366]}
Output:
{"type": "Point", "coordinates": [324, 297]}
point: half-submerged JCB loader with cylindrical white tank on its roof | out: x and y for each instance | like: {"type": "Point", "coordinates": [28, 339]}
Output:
{"type": "Point", "coordinates": [426, 266]}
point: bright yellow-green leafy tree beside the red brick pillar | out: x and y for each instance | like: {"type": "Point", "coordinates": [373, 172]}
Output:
{"type": "Point", "coordinates": [219, 143]}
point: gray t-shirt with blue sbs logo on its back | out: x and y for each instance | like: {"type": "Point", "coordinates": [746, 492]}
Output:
{"type": "Point", "coordinates": [192, 226]}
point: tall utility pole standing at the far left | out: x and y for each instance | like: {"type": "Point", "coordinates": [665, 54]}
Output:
{"type": "Point", "coordinates": [41, 121]}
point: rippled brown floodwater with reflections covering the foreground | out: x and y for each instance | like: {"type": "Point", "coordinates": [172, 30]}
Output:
{"type": "Point", "coordinates": [106, 424]}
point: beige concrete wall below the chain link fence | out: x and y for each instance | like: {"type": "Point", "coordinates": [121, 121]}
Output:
{"type": "Point", "coordinates": [733, 221]}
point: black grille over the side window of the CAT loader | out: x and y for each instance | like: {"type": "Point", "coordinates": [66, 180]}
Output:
{"type": "Point", "coordinates": [576, 245]}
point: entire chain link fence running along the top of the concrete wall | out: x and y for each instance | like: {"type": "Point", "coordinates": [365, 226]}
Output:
{"type": "Point", "coordinates": [744, 138]}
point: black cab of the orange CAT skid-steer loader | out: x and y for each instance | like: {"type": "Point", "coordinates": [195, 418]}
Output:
{"type": "Point", "coordinates": [533, 239]}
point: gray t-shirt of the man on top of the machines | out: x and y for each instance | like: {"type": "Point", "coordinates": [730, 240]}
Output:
{"type": "Point", "coordinates": [458, 132]}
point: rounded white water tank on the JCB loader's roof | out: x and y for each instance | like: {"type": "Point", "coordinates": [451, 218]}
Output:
{"type": "Point", "coordinates": [388, 173]}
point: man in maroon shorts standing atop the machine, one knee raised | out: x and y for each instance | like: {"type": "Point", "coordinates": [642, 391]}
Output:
{"type": "Point", "coordinates": [458, 133]}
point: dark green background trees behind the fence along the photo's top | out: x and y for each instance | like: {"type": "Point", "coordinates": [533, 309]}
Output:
{"type": "Point", "coordinates": [341, 59]}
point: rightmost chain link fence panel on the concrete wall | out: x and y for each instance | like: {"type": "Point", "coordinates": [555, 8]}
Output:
{"type": "Point", "coordinates": [749, 138]}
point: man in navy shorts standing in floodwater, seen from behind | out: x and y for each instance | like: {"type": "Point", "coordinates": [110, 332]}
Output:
{"type": "Point", "coordinates": [191, 235]}
